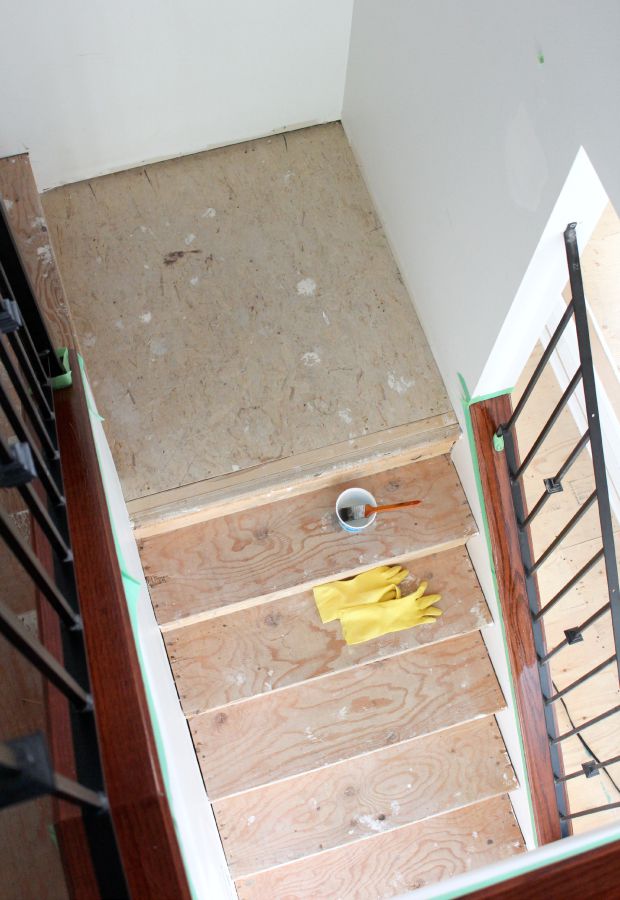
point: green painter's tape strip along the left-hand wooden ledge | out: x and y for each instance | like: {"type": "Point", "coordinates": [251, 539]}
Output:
{"type": "Point", "coordinates": [132, 588]}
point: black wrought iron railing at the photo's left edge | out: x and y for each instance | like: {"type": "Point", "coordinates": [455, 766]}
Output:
{"type": "Point", "coordinates": [30, 466]}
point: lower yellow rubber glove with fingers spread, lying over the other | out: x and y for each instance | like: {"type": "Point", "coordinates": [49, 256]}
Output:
{"type": "Point", "coordinates": [362, 623]}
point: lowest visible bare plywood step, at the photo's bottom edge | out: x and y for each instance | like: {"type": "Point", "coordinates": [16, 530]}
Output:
{"type": "Point", "coordinates": [397, 861]}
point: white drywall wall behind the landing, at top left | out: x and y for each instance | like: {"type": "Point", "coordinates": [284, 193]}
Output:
{"type": "Point", "coordinates": [90, 88]}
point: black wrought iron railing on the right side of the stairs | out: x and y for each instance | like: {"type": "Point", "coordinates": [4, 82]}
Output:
{"type": "Point", "coordinates": [576, 312]}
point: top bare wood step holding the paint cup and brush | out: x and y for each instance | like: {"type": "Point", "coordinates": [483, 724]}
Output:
{"type": "Point", "coordinates": [269, 552]}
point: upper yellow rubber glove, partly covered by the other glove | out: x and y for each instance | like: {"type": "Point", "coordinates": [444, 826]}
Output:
{"type": "Point", "coordinates": [373, 586]}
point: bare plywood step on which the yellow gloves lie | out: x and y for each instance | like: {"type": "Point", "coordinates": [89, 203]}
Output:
{"type": "Point", "coordinates": [284, 642]}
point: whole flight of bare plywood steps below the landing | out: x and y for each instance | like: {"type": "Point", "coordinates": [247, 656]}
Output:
{"type": "Point", "coordinates": [336, 771]}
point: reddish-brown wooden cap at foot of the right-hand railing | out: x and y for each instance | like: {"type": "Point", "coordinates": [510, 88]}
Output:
{"type": "Point", "coordinates": [486, 417]}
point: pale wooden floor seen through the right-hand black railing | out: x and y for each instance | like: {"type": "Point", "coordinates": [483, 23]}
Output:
{"type": "Point", "coordinates": [600, 272]}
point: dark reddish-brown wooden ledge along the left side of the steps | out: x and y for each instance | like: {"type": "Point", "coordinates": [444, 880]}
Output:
{"type": "Point", "coordinates": [139, 808]}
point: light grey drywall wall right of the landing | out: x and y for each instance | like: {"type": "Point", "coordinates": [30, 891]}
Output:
{"type": "Point", "coordinates": [466, 119]}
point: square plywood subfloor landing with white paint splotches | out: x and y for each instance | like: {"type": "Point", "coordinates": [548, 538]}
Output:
{"type": "Point", "coordinates": [239, 306]}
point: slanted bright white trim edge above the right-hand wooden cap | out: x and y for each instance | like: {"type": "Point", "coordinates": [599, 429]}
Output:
{"type": "Point", "coordinates": [582, 199]}
